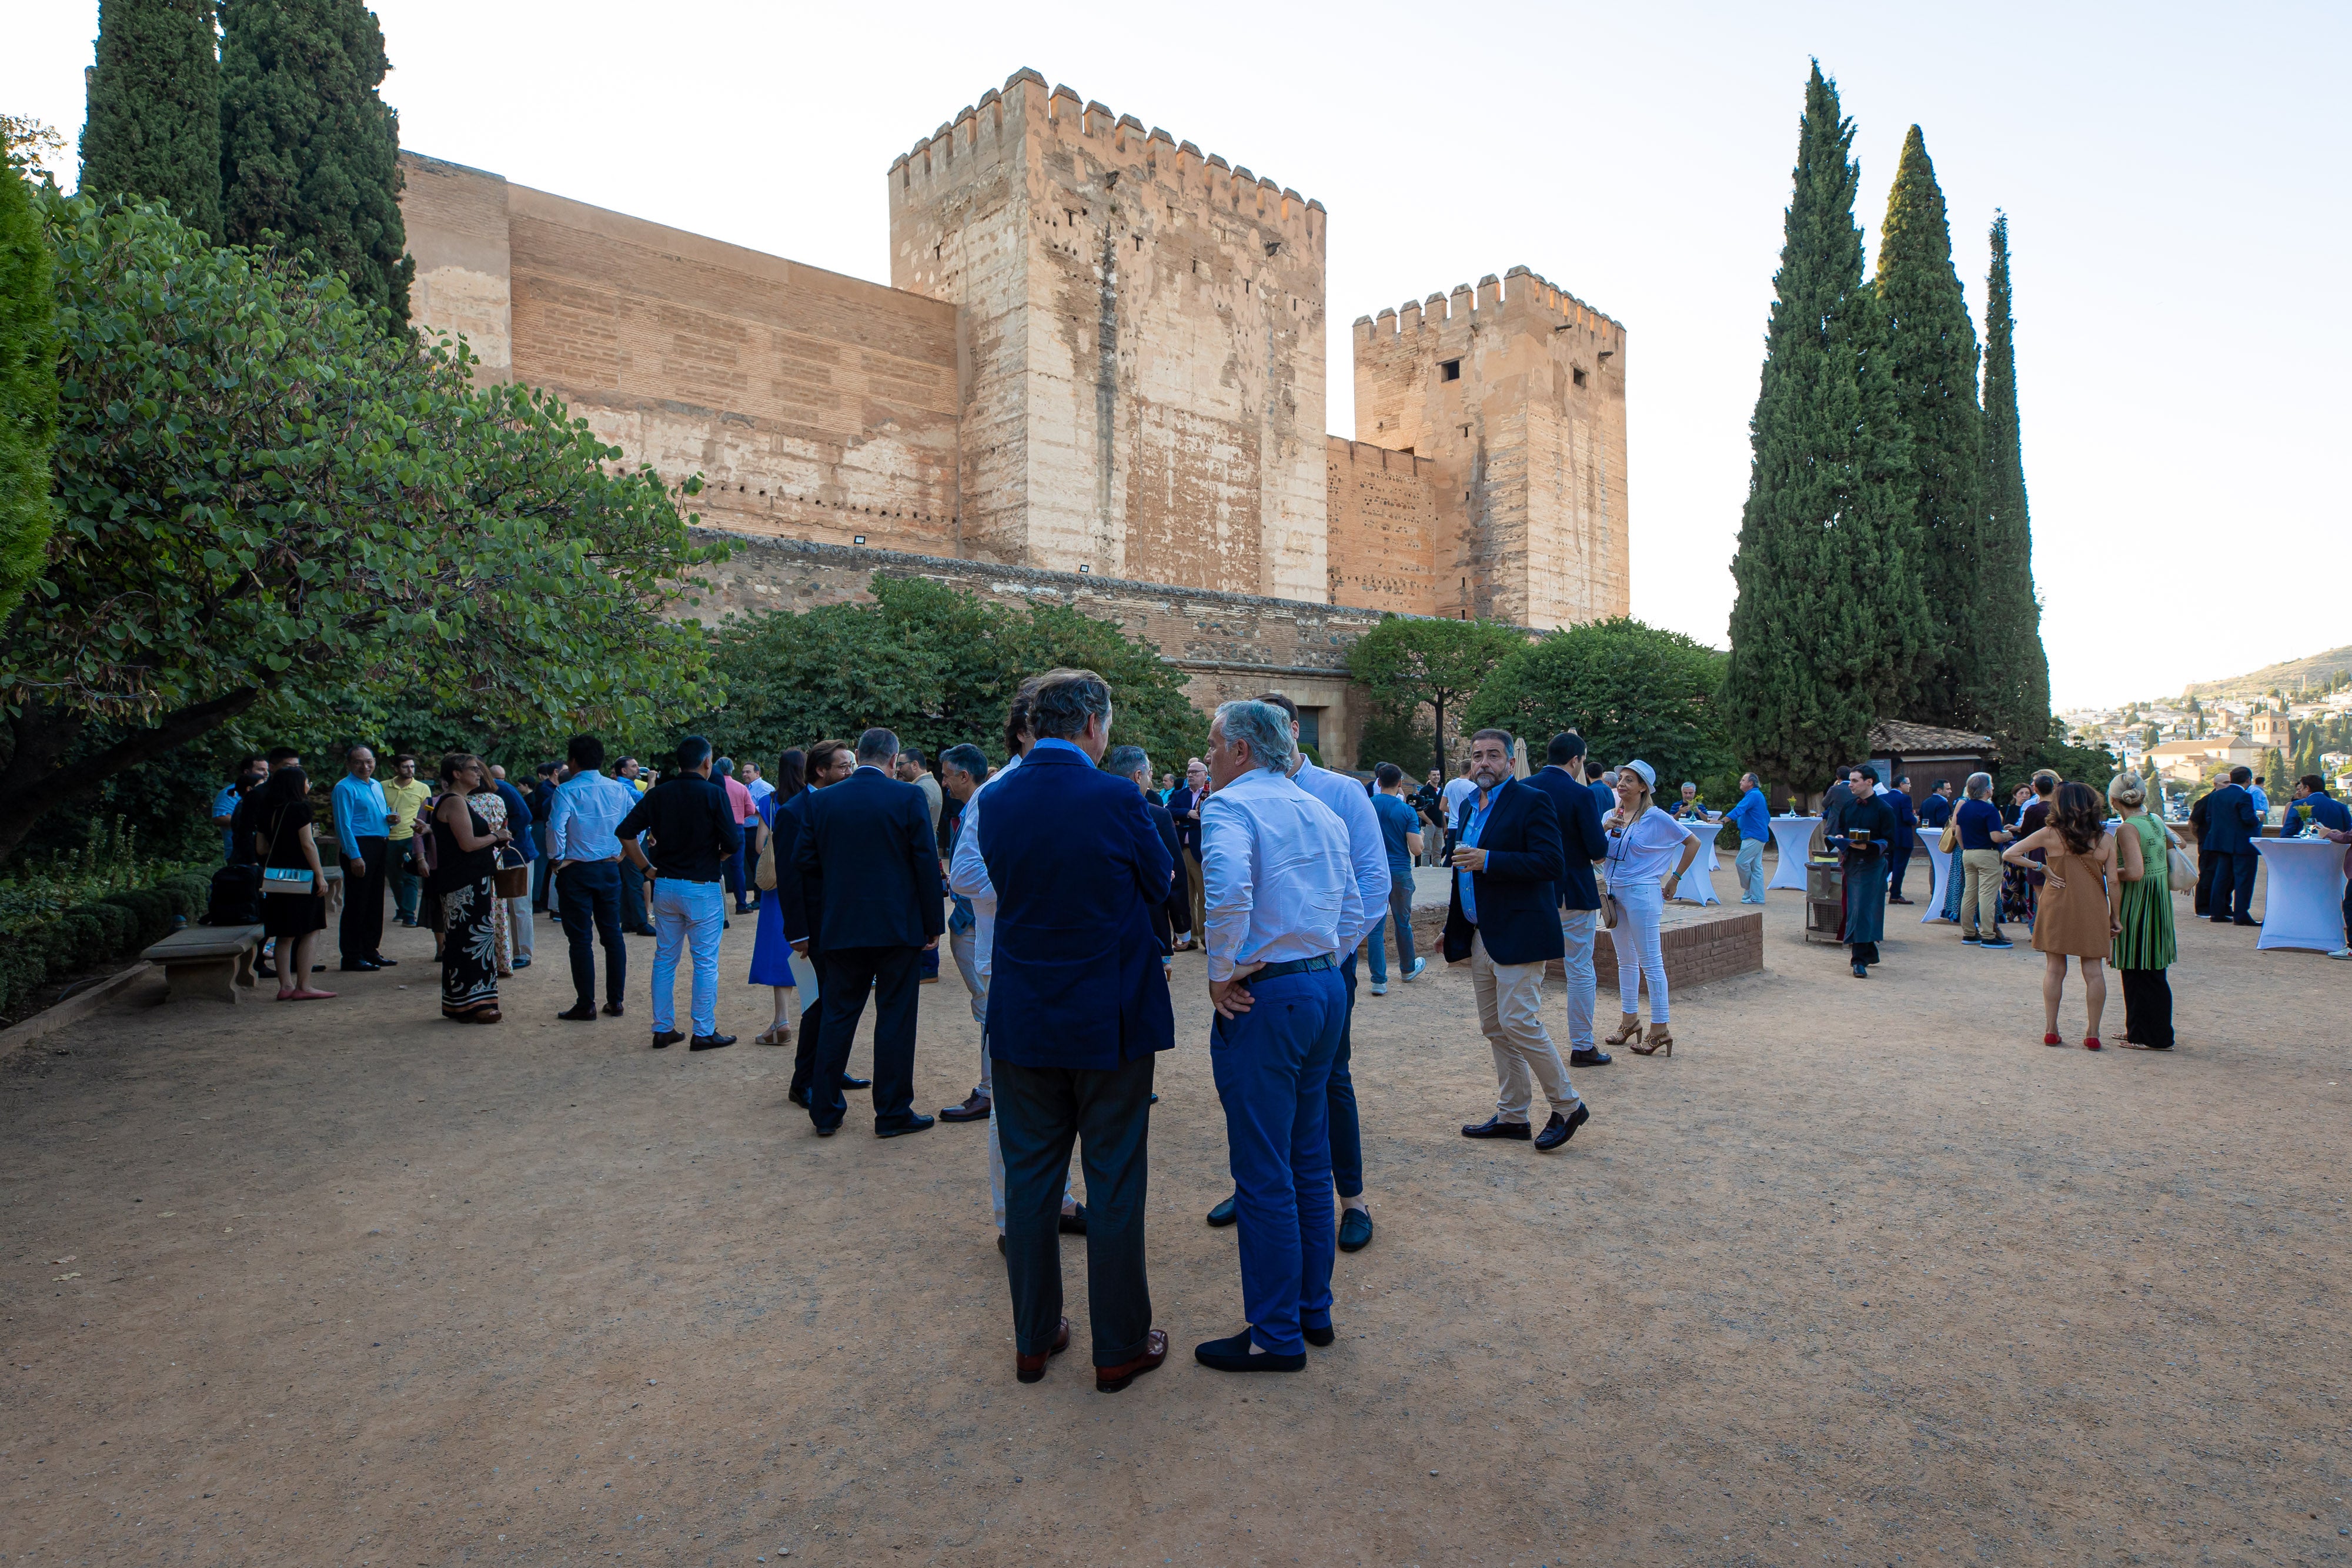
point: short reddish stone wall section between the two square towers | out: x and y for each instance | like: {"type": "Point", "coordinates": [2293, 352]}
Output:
{"type": "Point", "coordinates": [1389, 528]}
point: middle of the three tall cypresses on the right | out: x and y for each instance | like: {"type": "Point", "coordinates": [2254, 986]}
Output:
{"type": "Point", "coordinates": [1932, 356]}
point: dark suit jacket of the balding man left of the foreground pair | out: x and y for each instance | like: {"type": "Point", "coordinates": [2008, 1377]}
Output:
{"type": "Point", "coordinates": [869, 866]}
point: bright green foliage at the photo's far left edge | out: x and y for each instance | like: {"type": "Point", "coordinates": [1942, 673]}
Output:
{"type": "Point", "coordinates": [27, 387]}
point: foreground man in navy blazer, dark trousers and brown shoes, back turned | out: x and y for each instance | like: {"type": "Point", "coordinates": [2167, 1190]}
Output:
{"type": "Point", "coordinates": [1078, 1010]}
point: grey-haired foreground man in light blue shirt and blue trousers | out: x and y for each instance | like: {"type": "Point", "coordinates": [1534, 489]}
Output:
{"type": "Point", "coordinates": [1281, 894]}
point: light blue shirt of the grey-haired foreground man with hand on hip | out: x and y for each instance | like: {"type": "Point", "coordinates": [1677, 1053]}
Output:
{"type": "Point", "coordinates": [1276, 871]}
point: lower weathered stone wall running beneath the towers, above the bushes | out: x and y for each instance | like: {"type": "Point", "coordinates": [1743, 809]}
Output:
{"type": "Point", "coordinates": [1229, 645]}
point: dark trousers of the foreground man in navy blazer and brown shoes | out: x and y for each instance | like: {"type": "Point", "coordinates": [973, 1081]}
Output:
{"type": "Point", "coordinates": [1041, 1113]}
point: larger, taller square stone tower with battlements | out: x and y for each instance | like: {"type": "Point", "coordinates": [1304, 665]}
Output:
{"type": "Point", "coordinates": [1142, 344]}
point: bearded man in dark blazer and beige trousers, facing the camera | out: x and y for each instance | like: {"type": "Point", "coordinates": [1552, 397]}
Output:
{"type": "Point", "coordinates": [1506, 925]}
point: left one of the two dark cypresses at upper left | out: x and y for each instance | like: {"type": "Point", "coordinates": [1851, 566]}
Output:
{"type": "Point", "coordinates": [156, 109]}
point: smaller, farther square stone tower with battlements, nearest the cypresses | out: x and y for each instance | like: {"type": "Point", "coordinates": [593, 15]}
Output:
{"type": "Point", "coordinates": [1518, 391]}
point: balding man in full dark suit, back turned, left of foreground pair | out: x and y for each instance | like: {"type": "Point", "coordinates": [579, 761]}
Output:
{"type": "Point", "coordinates": [871, 906]}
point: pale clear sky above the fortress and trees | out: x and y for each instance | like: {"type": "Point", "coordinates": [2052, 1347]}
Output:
{"type": "Point", "coordinates": [2174, 182]}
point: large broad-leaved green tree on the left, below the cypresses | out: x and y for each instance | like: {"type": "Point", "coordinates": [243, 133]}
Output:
{"type": "Point", "coordinates": [272, 514]}
